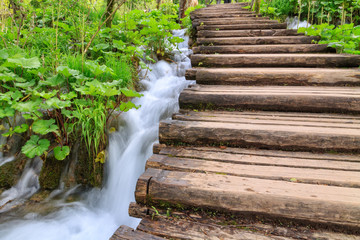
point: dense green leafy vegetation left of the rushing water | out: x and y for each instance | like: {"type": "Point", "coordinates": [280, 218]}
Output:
{"type": "Point", "coordinates": [66, 73]}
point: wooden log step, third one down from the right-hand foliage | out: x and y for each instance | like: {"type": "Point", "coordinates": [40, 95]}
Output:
{"type": "Point", "coordinates": [272, 98]}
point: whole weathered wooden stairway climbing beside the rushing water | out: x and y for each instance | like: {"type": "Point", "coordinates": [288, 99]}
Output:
{"type": "Point", "coordinates": [265, 146]}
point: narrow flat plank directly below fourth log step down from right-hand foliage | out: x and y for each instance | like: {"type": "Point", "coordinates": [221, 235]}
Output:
{"type": "Point", "coordinates": [252, 158]}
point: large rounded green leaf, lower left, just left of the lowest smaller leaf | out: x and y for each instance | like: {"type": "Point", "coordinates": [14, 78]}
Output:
{"type": "Point", "coordinates": [35, 147]}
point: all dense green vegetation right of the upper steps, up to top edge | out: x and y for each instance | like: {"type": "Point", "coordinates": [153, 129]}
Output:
{"type": "Point", "coordinates": [335, 21]}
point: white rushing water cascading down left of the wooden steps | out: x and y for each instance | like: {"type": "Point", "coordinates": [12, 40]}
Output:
{"type": "Point", "coordinates": [103, 211]}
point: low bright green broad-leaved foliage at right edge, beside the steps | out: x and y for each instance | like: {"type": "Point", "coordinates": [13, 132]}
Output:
{"type": "Point", "coordinates": [344, 38]}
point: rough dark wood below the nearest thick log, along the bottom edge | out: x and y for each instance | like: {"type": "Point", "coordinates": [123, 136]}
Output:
{"type": "Point", "coordinates": [181, 219]}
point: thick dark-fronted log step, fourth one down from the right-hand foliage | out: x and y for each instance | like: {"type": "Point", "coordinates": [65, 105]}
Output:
{"type": "Point", "coordinates": [268, 136]}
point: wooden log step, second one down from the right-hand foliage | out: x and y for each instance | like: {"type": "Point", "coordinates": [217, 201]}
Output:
{"type": "Point", "coordinates": [275, 76]}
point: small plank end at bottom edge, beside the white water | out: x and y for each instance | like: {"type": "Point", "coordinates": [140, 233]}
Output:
{"type": "Point", "coordinates": [127, 233]}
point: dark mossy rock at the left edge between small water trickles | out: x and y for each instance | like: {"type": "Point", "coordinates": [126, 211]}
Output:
{"type": "Point", "coordinates": [11, 172]}
